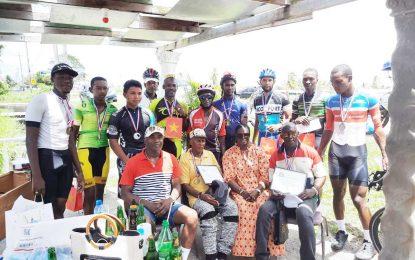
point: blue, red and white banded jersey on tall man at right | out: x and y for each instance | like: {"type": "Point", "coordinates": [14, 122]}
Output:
{"type": "Point", "coordinates": [352, 130]}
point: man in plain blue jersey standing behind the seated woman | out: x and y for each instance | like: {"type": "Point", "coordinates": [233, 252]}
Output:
{"type": "Point", "coordinates": [233, 109]}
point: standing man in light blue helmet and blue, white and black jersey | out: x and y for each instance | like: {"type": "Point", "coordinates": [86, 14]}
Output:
{"type": "Point", "coordinates": [271, 108]}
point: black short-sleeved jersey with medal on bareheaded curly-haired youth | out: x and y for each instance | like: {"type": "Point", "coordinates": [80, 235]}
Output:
{"type": "Point", "coordinates": [120, 126]}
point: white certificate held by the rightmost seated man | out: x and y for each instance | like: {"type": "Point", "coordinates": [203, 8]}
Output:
{"type": "Point", "coordinates": [288, 182]}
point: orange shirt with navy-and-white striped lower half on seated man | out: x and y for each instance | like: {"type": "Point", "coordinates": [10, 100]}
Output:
{"type": "Point", "coordinates": [150, 182]}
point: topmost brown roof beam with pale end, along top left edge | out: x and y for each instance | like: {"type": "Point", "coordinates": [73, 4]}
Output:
{"type": "Point", "coordinates": [118, 5]}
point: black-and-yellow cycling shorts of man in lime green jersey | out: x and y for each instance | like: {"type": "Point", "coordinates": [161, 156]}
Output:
{"type": "Point", "coordinates": [95, 165]}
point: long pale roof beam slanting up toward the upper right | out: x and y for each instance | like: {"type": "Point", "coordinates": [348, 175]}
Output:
{"type": "Point", "coordinates": [288, 14]}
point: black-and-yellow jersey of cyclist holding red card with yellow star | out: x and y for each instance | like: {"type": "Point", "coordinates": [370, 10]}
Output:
{"type": "Point", "coordinates": [161, 112]}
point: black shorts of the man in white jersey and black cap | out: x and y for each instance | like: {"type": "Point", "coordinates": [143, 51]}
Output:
{"type": "Point", "coordinates": [57, 172]}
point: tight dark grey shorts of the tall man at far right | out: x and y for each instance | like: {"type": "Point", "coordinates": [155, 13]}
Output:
{"type": "Point", "coordinates": [349, 162]}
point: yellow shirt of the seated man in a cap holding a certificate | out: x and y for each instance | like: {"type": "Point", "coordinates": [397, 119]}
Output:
{"type": "Point", "coordinates": [189, 174]}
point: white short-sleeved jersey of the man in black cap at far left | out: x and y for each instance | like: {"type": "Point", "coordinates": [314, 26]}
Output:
{"type": "Point", "coordinates": [53, 114]}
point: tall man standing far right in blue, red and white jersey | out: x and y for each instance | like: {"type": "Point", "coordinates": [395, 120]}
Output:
{"type": "Point", "coordinates": [346, 116]}
